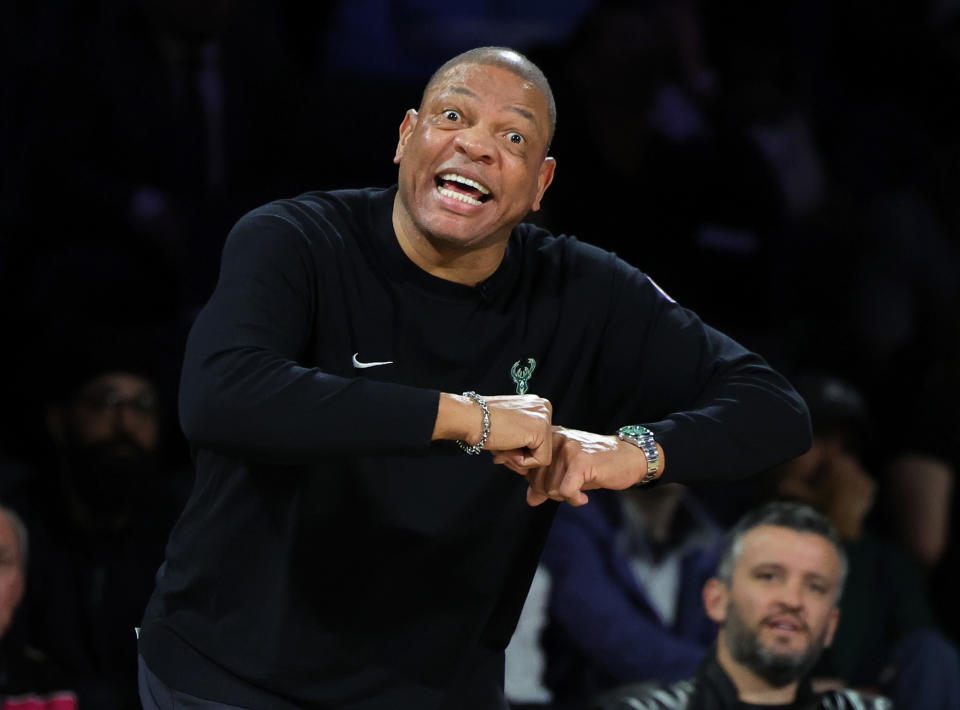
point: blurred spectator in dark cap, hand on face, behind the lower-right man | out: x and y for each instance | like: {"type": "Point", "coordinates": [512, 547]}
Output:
{"type": "Point", "coordinates": [887, 638]}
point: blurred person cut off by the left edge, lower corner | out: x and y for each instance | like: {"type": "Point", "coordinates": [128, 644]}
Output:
{"type": "Point", "coordinates": [28, 681]}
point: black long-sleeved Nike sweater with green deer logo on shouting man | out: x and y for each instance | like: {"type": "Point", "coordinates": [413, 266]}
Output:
{"type": "Point", "coordinates": [330, 555]}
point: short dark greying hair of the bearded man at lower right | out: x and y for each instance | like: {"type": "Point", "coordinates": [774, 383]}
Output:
{"type": "Point", "coordinates": [787, 514]}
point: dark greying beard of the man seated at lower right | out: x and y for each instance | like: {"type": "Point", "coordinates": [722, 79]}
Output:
{"type": "Point", "coordinates": [776, 667]}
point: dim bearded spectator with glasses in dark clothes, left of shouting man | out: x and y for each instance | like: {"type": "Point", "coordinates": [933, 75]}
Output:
{"type": "Point", "coordinates": [100, 510]}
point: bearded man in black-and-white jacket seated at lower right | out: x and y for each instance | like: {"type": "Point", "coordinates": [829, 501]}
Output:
{"type": "Point", "coordinates": [775, 599]}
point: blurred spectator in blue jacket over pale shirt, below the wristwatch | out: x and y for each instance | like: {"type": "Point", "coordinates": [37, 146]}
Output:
{"type": "Point", "coordinates": [625, 606]}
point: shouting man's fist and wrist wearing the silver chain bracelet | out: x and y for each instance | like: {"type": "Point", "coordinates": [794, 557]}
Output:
{"type": "Point", "coordinates": [519, 424]}
